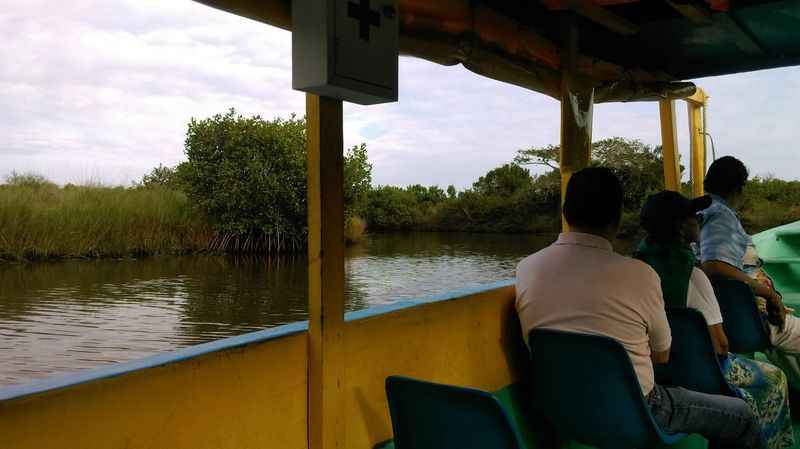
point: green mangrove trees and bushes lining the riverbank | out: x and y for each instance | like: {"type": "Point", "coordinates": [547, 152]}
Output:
{"type": "Point", "coordinates": [246, 175]}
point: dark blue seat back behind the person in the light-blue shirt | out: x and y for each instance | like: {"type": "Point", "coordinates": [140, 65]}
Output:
{"type": "Point", "coordinates": [740, 315]}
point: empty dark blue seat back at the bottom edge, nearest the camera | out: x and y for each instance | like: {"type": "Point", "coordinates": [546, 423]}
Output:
{"type": "Point", "coordinates": [426, 415]}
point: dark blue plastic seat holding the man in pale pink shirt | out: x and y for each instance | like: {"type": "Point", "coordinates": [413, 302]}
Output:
{"type": "Point", "coordinates": [586, 387]}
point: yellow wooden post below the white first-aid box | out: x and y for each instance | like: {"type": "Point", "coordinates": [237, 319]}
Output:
{"type": "Point", "coordinates": [325, 272]}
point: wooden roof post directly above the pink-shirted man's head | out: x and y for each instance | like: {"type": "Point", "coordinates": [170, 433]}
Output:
{"type": "Point", "coordinates": [577, 104]}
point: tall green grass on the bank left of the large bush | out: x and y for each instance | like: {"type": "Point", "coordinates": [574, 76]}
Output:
{"type": "Point", "coordinates": [40, 220]}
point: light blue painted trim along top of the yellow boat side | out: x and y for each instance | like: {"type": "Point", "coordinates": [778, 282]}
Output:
{"type": "Point", "coordinates": [166, 358]}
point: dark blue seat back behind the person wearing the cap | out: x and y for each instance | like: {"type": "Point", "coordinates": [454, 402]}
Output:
{"type": "Point", "coordinates": [693, 363]}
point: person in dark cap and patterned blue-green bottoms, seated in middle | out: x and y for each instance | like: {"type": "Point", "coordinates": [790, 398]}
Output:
{"type": "Point", "coordinates": [671, 223]}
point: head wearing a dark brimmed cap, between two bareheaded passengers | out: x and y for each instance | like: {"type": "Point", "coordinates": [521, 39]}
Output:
{"type": "Point", "coordinates": [669, 217]}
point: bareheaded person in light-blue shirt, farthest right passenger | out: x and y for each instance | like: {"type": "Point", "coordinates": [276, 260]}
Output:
{"type": "Point", "coordinates": [724, 253]}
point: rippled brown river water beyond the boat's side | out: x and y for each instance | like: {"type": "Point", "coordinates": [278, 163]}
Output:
{"type": "Point", "coordinates": [63, 317]}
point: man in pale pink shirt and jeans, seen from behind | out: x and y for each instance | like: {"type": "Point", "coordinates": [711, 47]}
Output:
{"type": "Point", "coordinates": [579, 284]}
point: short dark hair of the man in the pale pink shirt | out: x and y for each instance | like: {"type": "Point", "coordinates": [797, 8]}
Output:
{"type": "Point", "coordinates": [593, 198]}
